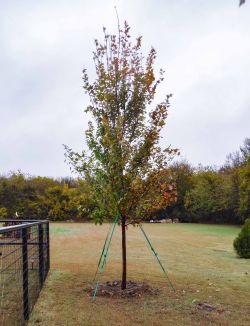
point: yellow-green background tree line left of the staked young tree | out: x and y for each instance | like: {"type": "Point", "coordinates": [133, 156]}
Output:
{"type": "Point", "coordinates": [26, 197]}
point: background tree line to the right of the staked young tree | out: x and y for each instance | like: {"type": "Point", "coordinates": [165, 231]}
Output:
{"type": "Point", "coordinates": [216, 195]}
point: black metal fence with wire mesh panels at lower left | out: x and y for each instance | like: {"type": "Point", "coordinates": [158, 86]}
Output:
{"type": "Point", "coordinates": [24, 265]}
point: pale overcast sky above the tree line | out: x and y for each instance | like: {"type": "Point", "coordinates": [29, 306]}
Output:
{"type": "Point", "coordinates": [204, 46]}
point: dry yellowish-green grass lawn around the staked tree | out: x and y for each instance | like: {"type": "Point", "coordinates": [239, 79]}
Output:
{"type": "Point", "coordinates": [199, 258]}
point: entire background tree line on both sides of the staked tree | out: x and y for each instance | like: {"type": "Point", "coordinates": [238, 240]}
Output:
{"type": "Point", "coordinates": [204, 194]}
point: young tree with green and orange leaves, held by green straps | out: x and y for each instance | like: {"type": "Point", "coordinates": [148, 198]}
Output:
{"type": "Point", "coordinates": [124, 165]}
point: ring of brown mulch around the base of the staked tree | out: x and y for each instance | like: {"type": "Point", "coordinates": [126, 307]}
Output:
{"type": "Point", "coordinates": [134, 289]}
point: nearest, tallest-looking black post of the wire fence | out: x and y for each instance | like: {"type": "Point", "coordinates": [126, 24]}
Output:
{"type": "Point", "coordinates": [25, 275]}
